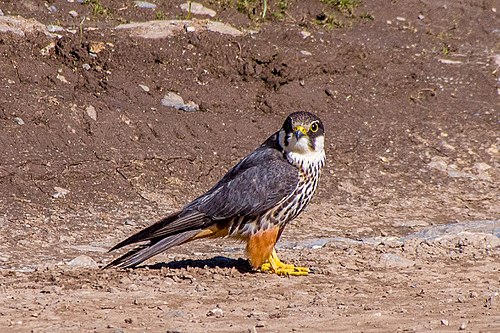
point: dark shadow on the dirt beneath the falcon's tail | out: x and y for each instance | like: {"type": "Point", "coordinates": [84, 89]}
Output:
{"type": "Point", "coordinates": [241, 265]}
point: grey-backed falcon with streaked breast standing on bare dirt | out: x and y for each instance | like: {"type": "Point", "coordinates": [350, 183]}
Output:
{"type": "Point", "coordinates": [253, 202]}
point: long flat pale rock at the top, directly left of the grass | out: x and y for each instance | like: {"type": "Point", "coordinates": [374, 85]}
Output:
{"type": "Point", "coordinates": [168, 28]}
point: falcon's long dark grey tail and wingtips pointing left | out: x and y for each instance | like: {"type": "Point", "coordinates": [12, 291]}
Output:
{"type": "Point", "coordinates": [175, 229]}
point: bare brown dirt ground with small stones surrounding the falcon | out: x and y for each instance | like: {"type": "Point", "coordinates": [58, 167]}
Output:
{"type": "Point", "coordinates": [403, 234]}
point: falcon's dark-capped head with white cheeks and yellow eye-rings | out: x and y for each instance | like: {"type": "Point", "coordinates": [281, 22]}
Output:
{"type": "Point", "coordinates": [302, 135]}
